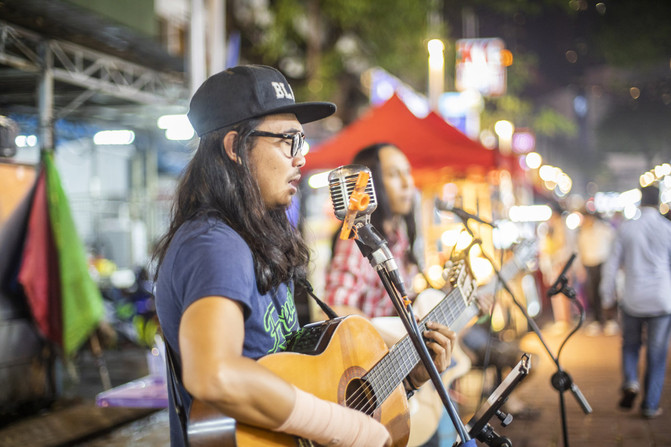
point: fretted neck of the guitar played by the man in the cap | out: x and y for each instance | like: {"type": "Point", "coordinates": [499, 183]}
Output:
{"type": "Point", "coordinates": [385, 376]}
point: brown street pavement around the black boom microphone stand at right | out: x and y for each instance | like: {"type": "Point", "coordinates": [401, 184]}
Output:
{"type": "Point", "coordinates": [593, 362]}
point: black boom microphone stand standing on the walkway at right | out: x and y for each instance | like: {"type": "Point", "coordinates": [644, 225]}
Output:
{"type": "Point", "coordinates": [561, 380]}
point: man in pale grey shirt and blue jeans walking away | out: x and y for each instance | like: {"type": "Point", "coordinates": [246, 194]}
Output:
{"type": "Point", "coordinates": [642, 249]}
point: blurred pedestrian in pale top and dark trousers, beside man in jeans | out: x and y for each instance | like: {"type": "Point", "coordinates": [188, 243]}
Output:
{"type": "Point", "coordinates": [595, 239]}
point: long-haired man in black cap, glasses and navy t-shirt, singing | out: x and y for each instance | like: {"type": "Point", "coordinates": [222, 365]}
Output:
{"type": "Point", "coordinates": [227, 267]}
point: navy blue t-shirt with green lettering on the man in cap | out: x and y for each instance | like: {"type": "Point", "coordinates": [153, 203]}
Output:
{"type": "Point", "coordinates": [206, 257]}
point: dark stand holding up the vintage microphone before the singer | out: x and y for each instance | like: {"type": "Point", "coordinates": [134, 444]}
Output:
{"type": "Point", "coordinates": [370, 242]}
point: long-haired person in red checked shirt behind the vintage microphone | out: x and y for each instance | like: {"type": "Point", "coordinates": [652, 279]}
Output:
{"type": "Point", "coordinates": [352, 285]}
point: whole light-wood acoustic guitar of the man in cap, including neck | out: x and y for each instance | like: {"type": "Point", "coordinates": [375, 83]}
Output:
{"type": "Point", "coordinates": [343, 360]}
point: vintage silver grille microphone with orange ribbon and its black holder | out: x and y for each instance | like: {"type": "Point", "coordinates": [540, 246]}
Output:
{"type": "Point", "coordinates": [342, 183]}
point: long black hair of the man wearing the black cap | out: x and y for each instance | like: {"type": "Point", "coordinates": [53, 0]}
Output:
{"type": "Point", "coordinates": [213, 185]}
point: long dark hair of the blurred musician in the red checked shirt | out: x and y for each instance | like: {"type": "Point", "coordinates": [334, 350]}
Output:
{"type": "Point", "coordinates": [370, 156]}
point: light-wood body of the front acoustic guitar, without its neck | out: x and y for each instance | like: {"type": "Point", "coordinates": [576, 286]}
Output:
{"type": "Point", "coordinates": [333, 369]}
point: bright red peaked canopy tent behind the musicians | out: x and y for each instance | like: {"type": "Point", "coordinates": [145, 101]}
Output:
{"type": "Point", "coordinates": [430, 144]}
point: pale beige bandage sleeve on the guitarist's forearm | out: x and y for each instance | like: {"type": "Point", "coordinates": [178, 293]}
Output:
{"type": "Point", "coordinates": [331, 424]}
